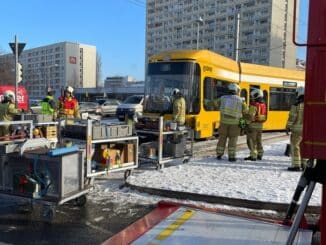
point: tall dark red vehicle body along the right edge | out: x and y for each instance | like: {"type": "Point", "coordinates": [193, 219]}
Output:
{"type": "Point", "coordinates": [313, 145]}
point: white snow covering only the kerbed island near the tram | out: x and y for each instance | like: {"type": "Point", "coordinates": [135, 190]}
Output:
{"type": "Point", "coordinates": [266, 180]}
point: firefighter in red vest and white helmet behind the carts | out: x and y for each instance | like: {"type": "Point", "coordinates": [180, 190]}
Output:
{"type": "Point", "coordinates": [68, 105]}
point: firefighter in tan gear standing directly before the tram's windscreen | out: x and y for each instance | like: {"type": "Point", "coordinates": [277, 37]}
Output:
{"type": "Point", "coordinates": [179, 107]}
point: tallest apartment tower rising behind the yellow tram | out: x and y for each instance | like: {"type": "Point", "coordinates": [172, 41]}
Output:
{"type": "Point", "coordinates": [265, 28]}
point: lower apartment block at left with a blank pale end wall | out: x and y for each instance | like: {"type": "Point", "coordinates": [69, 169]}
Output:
{"type": "Point", "coordinates": [57, 65]}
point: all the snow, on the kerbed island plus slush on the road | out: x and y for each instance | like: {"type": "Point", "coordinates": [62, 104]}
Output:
{"type": "Point", "coordinates": [266, 180]}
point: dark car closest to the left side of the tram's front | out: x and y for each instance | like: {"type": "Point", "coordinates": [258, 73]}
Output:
{"type": "Point", "coordinates": [130, 107]}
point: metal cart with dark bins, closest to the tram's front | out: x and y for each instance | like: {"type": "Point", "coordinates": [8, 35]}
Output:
{"type": "Point", "coordinates": [167, 151]}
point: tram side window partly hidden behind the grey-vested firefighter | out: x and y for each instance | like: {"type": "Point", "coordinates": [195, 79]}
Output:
{"type": "Point", "coordinates": [213, 89]}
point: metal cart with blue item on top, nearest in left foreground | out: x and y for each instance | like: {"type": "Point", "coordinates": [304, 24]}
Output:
{"type": "Point", "coordinates": [30, 170]}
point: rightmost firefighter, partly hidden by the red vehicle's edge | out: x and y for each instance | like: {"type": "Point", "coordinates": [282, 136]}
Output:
{"type": "Point", "coordinates": [294, 125]}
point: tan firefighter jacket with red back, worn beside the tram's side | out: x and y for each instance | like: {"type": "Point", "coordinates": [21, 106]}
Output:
{"type": "Point", "coordinates": [257, 115]}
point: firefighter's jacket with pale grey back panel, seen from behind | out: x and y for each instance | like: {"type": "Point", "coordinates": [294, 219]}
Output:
{"type": "Point", "coordinates": [231, 108]}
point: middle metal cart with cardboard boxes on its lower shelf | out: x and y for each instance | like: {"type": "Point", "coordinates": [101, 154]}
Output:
{"type": "Point", "coordinates": [113, 140]}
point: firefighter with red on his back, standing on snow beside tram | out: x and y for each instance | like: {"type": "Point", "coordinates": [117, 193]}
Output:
{"type": "Point", "coordinates": [256, 116]}
